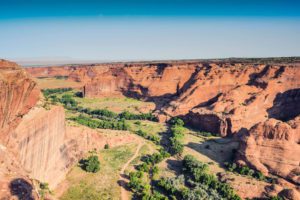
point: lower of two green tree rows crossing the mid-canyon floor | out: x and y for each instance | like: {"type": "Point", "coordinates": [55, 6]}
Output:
{"type": "Point", "coordinates": [104, 124]}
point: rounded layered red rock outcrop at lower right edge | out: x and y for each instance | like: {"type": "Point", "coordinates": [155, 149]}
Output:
{"type": "Point", "coordinates": [273, 147]}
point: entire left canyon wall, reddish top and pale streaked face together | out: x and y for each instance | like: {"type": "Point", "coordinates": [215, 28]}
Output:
{"type": "Point", "coordinates": [31, 138]}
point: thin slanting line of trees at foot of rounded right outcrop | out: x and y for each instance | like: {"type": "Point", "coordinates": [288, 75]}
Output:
{"type": "Point", "coordinates": [245, 170]}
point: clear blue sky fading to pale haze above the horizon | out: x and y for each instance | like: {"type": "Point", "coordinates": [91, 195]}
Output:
{"type": "Point", "coordinates": [148, 29]}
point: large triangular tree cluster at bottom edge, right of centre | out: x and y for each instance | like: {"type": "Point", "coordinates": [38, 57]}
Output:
{"type": "Point", "coordinates": [200, 179]}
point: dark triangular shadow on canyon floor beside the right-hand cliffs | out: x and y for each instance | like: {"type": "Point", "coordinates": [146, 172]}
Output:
{"type": "Point", "coordinates": [219, 150]}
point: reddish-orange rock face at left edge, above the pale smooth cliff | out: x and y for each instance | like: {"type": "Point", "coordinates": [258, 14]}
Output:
{"type": "Point", "coordinates": [18, 95]}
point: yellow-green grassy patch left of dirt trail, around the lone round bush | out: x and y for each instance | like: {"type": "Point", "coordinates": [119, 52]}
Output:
{"type": "Point", "coordinates": [103, 184]}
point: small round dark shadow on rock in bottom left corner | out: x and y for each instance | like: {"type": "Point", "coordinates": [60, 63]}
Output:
{"type": "Point", "coordinates": [22, 189]}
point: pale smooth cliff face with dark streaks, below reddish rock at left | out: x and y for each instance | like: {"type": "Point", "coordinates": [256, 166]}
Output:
{"type": "Point", "coordinates": [39, 143]}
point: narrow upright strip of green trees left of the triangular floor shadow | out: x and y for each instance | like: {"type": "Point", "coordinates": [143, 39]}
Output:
{"type": "Point", "coordinates": [177, 129]}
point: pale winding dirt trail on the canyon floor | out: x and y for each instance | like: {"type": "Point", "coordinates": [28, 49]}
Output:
{"type": "Point", "coordinates": [123, 180]}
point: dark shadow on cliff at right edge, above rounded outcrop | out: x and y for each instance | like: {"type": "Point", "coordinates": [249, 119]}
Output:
{"type": "Point", "coordinates": [286, 105]}
